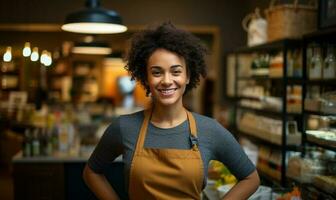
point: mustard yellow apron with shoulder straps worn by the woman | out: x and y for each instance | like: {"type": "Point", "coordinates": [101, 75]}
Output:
{"type": "Point", "coordinates": [166, 173]}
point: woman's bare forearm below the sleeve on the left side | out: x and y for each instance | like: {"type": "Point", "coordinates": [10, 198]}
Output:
{"type": "Point", "coordinates": [99, 185]}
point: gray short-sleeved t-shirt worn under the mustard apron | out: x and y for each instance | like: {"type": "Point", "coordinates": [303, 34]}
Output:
{"type": "Point", "coordinates": [215, 143]}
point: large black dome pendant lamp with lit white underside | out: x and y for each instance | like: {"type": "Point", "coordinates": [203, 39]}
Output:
{"type": "Point", "coordinates": [94, 20]}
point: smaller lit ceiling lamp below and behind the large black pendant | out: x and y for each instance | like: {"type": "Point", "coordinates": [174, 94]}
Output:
{"type": "Point", "coordinates": [95, 48]}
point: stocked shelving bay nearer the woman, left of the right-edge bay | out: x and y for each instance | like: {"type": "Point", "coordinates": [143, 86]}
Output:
{"type": "Point", "coordinates": [268, 98]}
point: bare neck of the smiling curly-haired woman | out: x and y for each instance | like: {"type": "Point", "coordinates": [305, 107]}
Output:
{"type": "Point", "coordinates": [168, 116]}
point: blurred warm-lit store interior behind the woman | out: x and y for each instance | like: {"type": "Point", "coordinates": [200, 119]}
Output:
{"type": "Point", "coordinates": [277, 97]}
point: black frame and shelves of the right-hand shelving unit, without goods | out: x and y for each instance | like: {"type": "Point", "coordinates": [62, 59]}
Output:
{"type": "Point", "coordinates": [308, 139]}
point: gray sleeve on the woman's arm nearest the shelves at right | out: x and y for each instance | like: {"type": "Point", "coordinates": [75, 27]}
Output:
{"type": "Point", "coordinates": [229, 152]}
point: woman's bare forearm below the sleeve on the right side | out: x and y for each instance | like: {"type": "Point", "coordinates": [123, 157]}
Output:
{"type": "Point", "coordinates": [244, 188]}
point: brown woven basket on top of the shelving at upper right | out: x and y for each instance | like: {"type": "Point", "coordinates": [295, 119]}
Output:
{"type": "Point", "coordinates": [290, 20]}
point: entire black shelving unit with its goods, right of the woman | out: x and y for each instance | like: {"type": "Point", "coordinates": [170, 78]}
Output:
{"type": "Point", "coordinates": [285, 98]}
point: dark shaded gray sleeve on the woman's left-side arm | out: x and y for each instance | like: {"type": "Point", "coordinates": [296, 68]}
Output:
{"type": "Point", "coordinates": [108, 148]}
